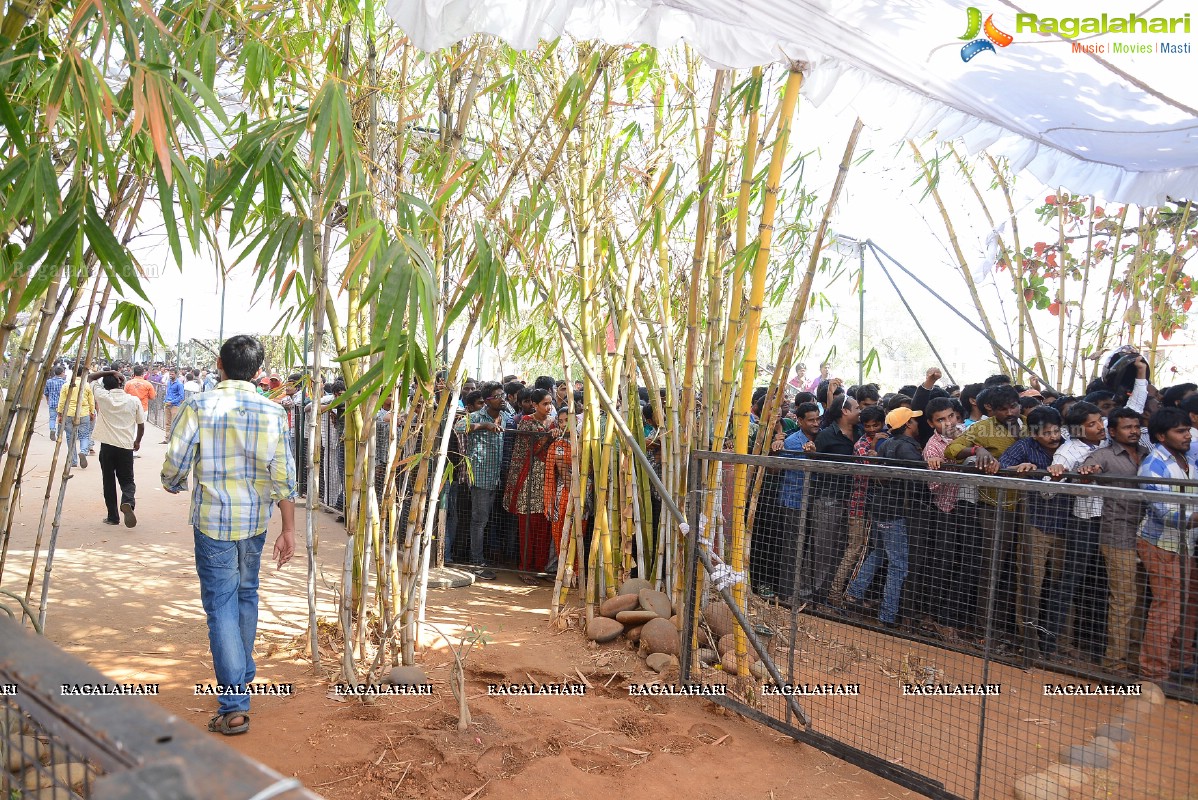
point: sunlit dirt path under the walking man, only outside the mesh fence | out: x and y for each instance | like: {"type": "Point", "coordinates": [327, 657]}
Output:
{"type": "Point", "coordinates": [128, 602]}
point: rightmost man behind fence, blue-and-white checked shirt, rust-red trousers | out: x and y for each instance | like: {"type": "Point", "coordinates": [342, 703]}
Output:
{"type": "Point", "coordinates": [1166, 548]}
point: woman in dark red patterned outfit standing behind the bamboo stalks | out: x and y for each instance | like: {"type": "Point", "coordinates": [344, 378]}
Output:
{"type": "Point", "coordinates": [525, 494]}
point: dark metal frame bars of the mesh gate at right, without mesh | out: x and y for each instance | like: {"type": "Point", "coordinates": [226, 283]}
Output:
{"type": "Point", "coordinates": [876, 765]}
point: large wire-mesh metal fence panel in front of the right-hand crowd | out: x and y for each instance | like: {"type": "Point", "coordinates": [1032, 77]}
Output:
{"type": "Point", "coordinates": [958, 633]}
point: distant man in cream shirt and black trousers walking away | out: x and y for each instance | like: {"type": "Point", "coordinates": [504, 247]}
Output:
{"type": "Point", "coordinates": [120, 425]}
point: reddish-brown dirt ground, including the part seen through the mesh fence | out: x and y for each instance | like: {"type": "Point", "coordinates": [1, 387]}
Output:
{"type": "Point", "coordinates": [126, 602]}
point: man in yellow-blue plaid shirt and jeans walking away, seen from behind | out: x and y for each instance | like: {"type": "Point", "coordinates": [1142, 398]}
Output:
{"type": "Point", "coordinates": [238, 446]}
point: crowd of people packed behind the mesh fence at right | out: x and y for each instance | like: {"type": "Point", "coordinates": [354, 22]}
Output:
{"type": "Point", "coordinates": [1066, 566]}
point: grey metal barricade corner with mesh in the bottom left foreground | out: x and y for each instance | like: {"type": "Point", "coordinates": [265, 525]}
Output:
{"type": "Point", "coordinates": [69, 734]}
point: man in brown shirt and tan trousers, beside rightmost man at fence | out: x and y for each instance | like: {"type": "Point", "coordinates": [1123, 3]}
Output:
{"type": "Point", "coordinates": [1118, 528]}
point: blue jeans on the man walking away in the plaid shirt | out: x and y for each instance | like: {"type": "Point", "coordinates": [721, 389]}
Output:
{"type": "Point", "coordinates": [228, 573]}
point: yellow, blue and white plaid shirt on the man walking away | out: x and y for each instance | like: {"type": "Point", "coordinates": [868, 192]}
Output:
{"type": "Point", "coordinates": [239, 447]}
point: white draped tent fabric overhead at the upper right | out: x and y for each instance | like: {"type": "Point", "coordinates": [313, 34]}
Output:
{"type": "Point", "coordinates": [1118, 124]}
